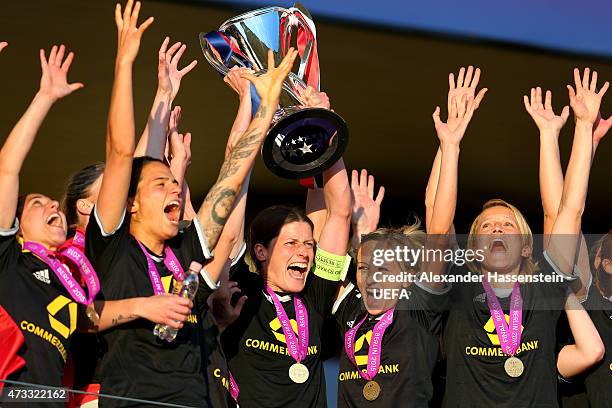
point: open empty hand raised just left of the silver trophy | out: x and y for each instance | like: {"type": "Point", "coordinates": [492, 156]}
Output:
{"type": "Point", "coordinates": [168, 75]}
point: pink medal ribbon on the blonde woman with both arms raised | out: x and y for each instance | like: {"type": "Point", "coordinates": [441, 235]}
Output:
{"type": "Point", "coordinates": [509, 334]}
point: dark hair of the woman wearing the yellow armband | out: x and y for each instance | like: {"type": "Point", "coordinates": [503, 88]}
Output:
{"type": "Point", "coordinates": [267, 225]}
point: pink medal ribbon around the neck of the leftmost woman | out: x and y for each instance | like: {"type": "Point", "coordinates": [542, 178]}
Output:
{"type": "Point", "coordinates": [63, 273]}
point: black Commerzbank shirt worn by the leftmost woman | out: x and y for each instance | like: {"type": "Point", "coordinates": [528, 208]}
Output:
{"type": "Point", "coordinates": [41, 307]}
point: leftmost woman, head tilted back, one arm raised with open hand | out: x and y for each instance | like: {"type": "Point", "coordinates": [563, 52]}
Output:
{"type": "Point", "coordinates": [35, 271]}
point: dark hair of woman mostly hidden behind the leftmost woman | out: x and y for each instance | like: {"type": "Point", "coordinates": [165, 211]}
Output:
{"type": "Point", "coordinates": [78, 187]}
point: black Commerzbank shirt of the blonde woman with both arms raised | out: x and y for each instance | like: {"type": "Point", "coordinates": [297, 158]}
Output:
{"type": "Point", "coordinates": [475, 361]}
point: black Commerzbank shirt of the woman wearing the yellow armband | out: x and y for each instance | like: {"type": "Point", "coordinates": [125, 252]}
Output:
{"type": "Point", "coordinates": [256, 349]}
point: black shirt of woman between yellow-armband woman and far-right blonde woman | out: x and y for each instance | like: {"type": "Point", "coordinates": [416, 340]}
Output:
{"type": "Point", "coordinates": [409, 349]}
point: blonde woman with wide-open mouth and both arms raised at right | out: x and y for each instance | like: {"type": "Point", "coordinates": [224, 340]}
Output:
{"type": "Point", "coordinates": [493, 359]}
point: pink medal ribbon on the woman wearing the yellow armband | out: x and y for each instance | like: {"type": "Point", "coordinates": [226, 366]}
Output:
{"type": "Point", "coordinates": [297, 348]}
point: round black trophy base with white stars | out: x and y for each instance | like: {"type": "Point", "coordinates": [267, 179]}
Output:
{"type": "Point", "coordinates": [304, 142]}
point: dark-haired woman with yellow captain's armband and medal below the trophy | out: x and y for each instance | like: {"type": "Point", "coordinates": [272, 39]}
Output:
{"type": "Point", "coordinates": [274, 346]}
